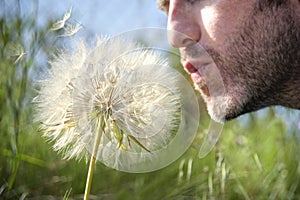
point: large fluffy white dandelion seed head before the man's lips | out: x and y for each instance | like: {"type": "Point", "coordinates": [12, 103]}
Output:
{"type": "Point", "coordinates": [109, 81]}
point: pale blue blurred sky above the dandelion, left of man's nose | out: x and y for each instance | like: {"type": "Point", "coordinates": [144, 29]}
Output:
{"type": "Point", "coordinates": [100, 17]}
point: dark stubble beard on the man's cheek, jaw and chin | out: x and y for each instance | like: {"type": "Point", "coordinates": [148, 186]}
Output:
{"type": "Point", "coordinates": [258, 64]}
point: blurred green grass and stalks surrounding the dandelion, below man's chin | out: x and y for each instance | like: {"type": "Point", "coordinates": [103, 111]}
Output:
{"type": "Point", "coordinates": [258, 159]}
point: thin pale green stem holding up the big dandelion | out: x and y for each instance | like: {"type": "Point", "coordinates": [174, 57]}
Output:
{"type": "Point", "coordinates": [92, 162]}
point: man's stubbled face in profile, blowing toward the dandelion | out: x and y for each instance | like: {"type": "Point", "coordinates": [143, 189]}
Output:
{"type": "Point", "coordinates": [255, 45]}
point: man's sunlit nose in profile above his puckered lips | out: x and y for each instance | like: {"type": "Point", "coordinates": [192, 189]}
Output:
{"type": "Point", "coordinates": [183, 28]}
